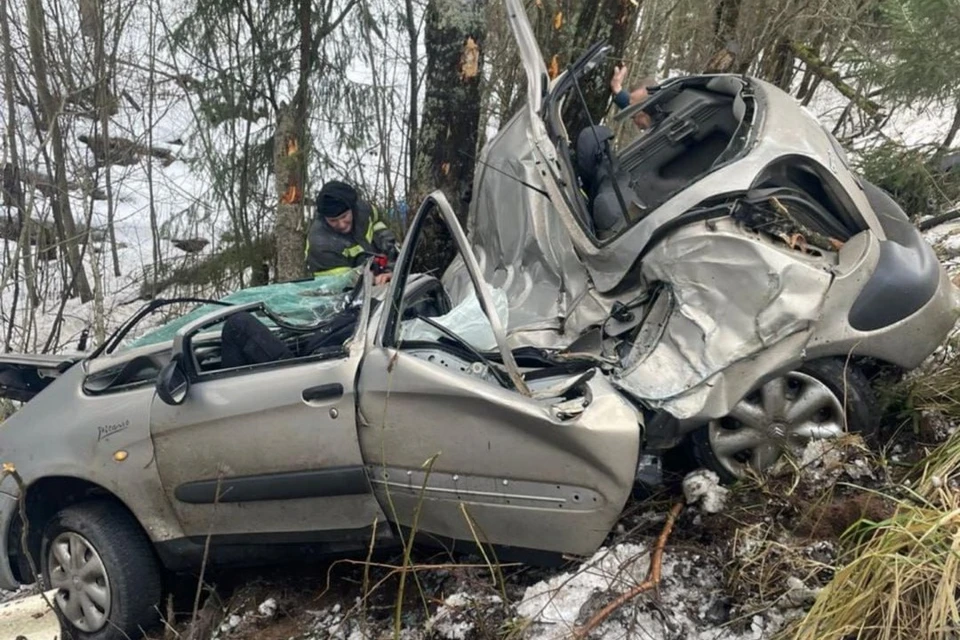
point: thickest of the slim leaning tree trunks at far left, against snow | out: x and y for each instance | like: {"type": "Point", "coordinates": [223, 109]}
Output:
{"type": "Point", "coordinates": [61, 210]}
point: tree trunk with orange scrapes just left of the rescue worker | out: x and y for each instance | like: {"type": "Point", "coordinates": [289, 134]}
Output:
{"type": "Point", "coordinates": [290, 145]}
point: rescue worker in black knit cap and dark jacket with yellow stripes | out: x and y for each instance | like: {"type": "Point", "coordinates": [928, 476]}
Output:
{"type": "Point", "coordinates": [345, 230]}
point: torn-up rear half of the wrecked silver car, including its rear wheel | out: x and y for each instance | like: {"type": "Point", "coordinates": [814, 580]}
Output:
{"type": "Point", "coordinates": [719, 266]}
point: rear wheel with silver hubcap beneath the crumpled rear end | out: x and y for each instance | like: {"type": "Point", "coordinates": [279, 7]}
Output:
{"type": "Point", "coordinates": [787, 412]}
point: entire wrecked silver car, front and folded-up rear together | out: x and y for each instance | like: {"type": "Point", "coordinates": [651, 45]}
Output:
{"type": "Point", "coordinates": [722, 279]}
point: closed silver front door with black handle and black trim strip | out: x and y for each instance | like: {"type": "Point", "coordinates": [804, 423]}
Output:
{"type": "Point", "coordinates": [267, 449]}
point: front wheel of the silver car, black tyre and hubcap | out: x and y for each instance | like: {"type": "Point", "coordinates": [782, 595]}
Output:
{"type": "Point", "coordinates": [102, 565]}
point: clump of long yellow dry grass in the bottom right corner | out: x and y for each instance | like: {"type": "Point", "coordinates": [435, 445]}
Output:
{"type": "Point", "coordinates": [902, 574]}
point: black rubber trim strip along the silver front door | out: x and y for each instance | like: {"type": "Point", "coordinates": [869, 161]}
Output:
{"type": "Point", "coordinates": [323, 483]}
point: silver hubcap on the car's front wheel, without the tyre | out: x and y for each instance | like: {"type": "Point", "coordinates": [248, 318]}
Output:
{"type": "Point", "coordinates": [78, 574]}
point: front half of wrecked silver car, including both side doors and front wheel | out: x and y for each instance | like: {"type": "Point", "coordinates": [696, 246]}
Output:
{"type": "Point", "coordinates": [411, 415]}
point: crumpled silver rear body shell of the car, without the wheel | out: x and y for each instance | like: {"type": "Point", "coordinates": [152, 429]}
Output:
{"type": "Point", "coordinates": [561, 282]}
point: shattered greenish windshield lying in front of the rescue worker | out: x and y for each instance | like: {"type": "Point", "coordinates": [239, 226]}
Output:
{"type": "Point", "coordinates": [300, 303]}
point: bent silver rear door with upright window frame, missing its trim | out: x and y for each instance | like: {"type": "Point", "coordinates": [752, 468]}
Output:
{"type": "Point", "coordinates": [466, 441]}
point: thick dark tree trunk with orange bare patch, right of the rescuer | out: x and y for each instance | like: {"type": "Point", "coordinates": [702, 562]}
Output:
{"type": "Point", "coordinates": [448, 134]}
